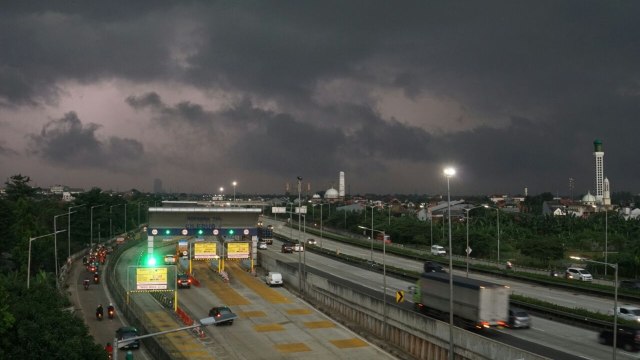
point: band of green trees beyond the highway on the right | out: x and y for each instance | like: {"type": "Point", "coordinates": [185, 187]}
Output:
{"type": "Point", "coordinates": [528, 238]}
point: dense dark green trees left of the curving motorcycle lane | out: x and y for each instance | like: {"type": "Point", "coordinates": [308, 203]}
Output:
{"type": "Point", "coordinates": [34, 322]}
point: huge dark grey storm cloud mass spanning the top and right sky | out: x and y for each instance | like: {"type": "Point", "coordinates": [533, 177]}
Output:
{"type": "Point", "coordinates": [536, 81]}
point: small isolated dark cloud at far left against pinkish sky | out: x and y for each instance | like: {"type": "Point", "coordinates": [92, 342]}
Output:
{"type": "Point", "coordinates": [66, 142]}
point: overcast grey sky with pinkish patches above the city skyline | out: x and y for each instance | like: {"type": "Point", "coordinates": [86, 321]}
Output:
{"type": "Point", "coordinates": [201, 93]}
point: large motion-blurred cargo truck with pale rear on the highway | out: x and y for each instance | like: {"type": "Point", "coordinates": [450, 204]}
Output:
{"type": "Point", "coordinates": [476, 304]}
